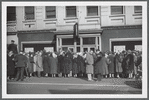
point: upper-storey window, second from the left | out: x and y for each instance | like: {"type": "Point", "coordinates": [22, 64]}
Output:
{"type": "Point", "coordinates": [29, 13]}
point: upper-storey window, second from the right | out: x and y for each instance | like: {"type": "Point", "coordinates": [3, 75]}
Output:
{"type": "Point", "coordinates": [117, 10]}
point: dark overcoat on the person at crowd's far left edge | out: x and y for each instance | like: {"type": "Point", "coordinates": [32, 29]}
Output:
{"type": "Point", "coordinates": [10, 65]}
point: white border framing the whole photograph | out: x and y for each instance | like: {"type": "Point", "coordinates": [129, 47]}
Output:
{"type": "Point", "coordinates": [82, 3]}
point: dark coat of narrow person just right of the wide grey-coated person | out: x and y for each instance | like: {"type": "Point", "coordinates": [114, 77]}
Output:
{"type": "Point", "coordinates": [111, 65]}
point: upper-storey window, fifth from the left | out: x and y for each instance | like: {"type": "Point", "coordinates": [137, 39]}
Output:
{"type": "Point", "coordinates": [92, 10]}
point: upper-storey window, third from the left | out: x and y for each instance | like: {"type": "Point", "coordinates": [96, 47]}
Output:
{"type": "Point", "coordinates": [50, 12]}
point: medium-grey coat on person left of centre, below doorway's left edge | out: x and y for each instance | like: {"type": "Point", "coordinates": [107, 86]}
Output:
{"type": "Point", "coordinates": [53, 63]}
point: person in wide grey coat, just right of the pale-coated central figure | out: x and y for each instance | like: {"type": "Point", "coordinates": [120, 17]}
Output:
{"type": "Point", "coordinates": [101, 65]}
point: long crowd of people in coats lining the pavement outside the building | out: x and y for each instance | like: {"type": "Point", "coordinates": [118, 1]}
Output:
{"type": "Point", "coordinates": [92, 64]}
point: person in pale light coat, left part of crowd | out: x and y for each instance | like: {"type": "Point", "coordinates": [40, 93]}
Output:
{"type": "Point", "coordinates": [39, 64]}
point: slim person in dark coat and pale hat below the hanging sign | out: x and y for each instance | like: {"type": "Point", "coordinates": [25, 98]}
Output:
{"type": "Point", "coordinates": [74, 65]}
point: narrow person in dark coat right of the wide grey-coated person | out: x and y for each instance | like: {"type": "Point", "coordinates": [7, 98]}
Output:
{"type": "Point", "coordinates": [111, 65]}
